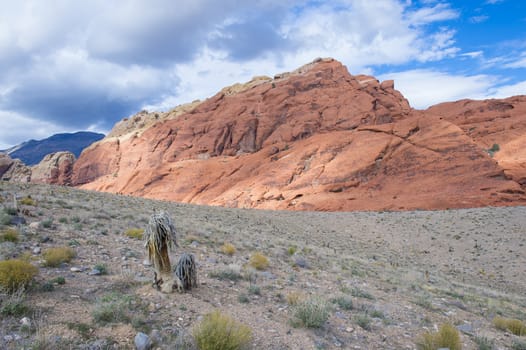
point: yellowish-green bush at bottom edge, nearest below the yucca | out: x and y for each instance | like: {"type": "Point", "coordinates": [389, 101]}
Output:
{"type": "Point", "coordinates": [221, 332]}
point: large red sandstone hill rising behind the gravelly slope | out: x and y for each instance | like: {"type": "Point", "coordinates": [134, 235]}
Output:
{"type": "Point", "coordinates": [315, 139]}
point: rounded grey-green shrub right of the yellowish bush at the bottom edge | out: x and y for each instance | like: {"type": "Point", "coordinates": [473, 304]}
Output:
{"type": "Point", "coordinates": [311, 313]}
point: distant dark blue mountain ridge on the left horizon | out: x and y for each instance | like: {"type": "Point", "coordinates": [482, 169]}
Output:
{"type": "Point", "coordinates": [33, 151]}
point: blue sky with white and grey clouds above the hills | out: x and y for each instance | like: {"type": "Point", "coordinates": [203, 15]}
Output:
{"type": "Point", "coordinates": [83, 65]}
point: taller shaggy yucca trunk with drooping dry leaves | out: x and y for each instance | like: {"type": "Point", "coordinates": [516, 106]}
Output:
{"type": "Point", "coordinates": [159, 237]}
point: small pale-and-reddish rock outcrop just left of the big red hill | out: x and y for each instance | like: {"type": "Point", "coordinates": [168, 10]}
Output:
{"type": "Point", "coordinates": [55, 168]}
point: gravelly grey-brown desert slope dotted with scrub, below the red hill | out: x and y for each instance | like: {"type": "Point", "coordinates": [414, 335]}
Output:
{"type": "Point", "coordinates": [404, 273]}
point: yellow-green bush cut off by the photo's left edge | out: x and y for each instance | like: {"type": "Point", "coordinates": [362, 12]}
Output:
{"type": "Point", "coordinates": [16, 274]}
